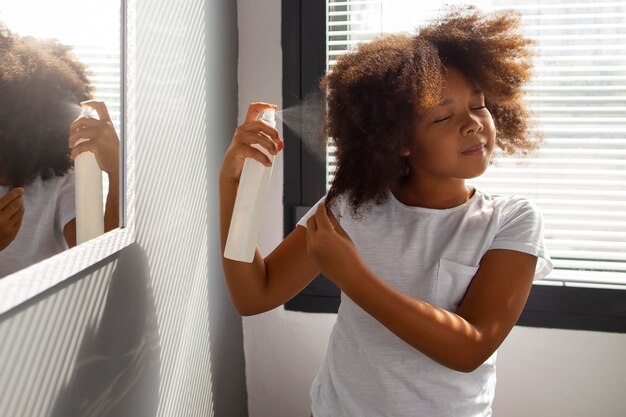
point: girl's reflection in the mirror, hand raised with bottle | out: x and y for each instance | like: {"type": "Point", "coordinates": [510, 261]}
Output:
{"type": "Point", "coordinates": [41, 86]}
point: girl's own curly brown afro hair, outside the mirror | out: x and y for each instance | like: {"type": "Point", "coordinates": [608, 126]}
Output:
{"type": "Point", "coordinates": [374, 94]}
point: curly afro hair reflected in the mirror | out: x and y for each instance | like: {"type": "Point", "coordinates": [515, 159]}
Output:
{"type": "Point", "coordinates": [41, 86]}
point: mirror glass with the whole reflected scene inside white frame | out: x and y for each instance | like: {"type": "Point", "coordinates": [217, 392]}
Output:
{"type": "Point", "coordinates": [60, 94]}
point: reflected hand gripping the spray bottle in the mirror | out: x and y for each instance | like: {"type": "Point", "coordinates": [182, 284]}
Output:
{"type": "Point", "coordinates": [103, 140]}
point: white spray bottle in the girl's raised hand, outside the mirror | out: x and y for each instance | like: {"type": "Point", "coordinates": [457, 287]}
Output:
{"type": "Point", "coordinates": [245, 223]}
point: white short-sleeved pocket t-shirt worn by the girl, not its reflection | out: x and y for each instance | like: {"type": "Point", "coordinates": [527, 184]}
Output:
{"type": "Point", "coordinates": [431, 255]}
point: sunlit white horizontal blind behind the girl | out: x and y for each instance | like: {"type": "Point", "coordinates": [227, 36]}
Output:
{"type": "Point", "coordinates": [578, 97]}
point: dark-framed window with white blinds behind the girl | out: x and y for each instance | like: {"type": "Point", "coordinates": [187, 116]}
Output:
{"type": "Point", "coordinates": [578, 177]}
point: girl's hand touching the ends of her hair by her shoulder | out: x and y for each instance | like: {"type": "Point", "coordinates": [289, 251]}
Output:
{"type": "Point", "coordinates": [330, 247]}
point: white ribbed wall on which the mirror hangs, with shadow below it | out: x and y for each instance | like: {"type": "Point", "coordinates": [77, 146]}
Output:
{"type": "Point", "coordinates": [149, 331]}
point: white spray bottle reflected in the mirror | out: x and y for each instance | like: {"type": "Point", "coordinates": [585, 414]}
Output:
{"type": "Point", "coordinates": [89, 210]}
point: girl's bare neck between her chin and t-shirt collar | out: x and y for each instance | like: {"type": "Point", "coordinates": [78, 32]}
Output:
{"type": "Point", "coordinates": [442, 194]}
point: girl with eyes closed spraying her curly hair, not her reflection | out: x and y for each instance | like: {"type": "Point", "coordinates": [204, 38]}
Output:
{"type": "Point", "coordinates": [433, 273]}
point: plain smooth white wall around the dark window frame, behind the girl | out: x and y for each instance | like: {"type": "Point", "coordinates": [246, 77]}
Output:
{"type": "Point", "coordinates": [541, 372]}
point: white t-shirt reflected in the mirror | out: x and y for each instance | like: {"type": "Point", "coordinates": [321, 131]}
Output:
{"type": "Point", "coordinates": [48, 206]}
